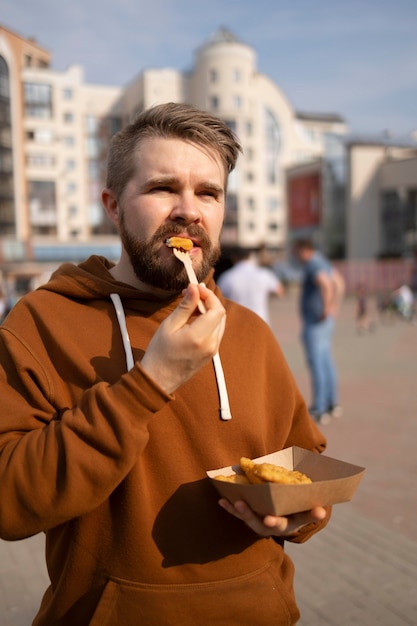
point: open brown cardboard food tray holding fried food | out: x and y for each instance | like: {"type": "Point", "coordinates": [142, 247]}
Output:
{"type": "Point", "coordinates": [334, 482]}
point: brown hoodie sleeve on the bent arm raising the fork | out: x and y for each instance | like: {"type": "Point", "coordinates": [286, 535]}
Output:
{"type": "Point", "coordinates": [59, 464]}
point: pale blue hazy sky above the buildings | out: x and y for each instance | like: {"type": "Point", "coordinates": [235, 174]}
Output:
{"type": "Point", "coordinates": [356, 58]}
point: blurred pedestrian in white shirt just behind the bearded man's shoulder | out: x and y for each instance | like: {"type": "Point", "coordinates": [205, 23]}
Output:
{"type": "Point", "coordinates": [249, 284]}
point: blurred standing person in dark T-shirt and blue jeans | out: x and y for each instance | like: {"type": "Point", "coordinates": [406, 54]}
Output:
{"type": "Point", "coordinates": [321, 290]}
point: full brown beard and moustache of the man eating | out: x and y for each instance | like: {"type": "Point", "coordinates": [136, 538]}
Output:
{"type": "Point", "coordinates": [150, 267]}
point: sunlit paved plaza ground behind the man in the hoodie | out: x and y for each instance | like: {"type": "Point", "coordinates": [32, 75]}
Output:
{"type": "Point", "coordinates": [362, 569]}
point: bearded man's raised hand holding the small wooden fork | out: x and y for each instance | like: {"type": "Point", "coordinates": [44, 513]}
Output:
{"type": "Point", "coordinates": [181, 345]}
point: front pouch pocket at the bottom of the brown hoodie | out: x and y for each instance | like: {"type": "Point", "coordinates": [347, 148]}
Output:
{"type": "Point", "coordinates": [258, 599]}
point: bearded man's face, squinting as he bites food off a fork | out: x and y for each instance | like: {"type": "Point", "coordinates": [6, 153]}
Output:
{"type": "Point", "coordinates": [178, 190]}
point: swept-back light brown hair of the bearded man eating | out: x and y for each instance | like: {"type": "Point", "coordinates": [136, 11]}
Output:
{"type": "Point", "coordinates": [170, 120]}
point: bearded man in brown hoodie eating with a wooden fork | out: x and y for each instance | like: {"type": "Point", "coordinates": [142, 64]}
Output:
{"type": "Point", "coordinates": [110, 407]}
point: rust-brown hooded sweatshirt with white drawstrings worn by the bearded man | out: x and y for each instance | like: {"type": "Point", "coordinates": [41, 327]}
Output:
{"type": "Point", "coordinates": [113, 469]}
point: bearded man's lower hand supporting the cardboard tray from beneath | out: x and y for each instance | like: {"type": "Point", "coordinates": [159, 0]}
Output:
{"type": "Point", "coordinates": [271, 525]}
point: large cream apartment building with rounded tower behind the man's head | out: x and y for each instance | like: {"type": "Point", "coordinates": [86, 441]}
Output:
{"type": "Point", "coordinates": [54, 128]}
